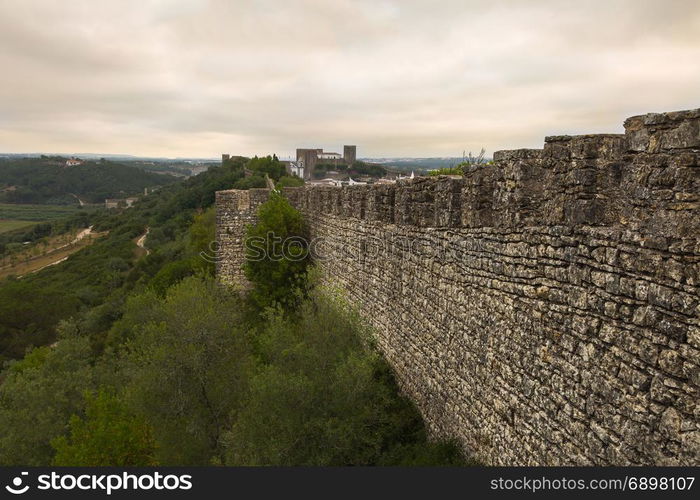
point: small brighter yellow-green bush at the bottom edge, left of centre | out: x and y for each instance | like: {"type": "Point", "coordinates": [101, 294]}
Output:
{"type": "Point", "coordinates": [109, 435]}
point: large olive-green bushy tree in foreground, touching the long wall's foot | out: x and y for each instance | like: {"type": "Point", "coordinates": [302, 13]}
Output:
{"type": "Point", "coordinates": [323, 396]}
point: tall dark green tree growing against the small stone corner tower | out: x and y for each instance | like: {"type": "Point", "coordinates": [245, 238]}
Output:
{"type": "Point", "coordinates": [276, 253]}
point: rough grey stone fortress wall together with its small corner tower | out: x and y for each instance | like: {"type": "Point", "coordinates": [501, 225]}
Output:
{"type": "Point", "coordinates": [543, 310]}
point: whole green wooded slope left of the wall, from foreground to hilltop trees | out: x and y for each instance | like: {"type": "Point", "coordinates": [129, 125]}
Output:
{"type": "Point", "coordinates": [116, 357]}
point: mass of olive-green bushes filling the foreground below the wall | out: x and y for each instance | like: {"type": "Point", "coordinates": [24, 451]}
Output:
{"type": "Point", "coordinates": [203, 381]}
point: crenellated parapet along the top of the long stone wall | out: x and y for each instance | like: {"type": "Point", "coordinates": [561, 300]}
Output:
{"type": "Point", "coordinates": [586, 179]}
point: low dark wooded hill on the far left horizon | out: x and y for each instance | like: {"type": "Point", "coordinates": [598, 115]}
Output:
{"type": "Point", "coordinates": [50, 180]}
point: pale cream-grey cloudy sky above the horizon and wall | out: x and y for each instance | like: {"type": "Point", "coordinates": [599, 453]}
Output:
{"type": "Point", "coordinates": [397, 78]}
